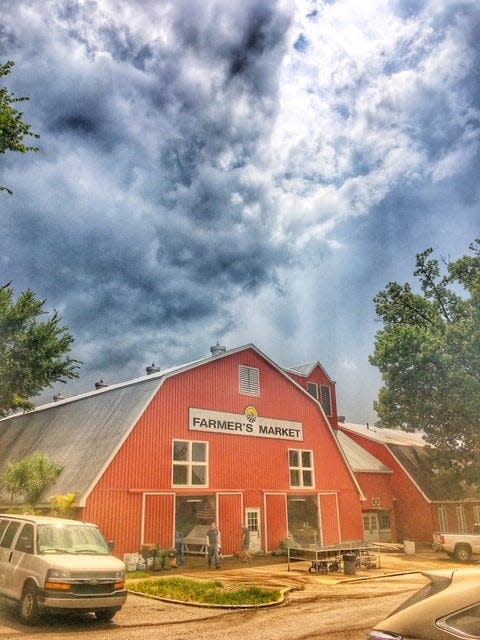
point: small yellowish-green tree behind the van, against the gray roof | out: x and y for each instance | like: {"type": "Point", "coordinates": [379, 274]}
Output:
{"type": "Point", "coordinates": [29, 477]}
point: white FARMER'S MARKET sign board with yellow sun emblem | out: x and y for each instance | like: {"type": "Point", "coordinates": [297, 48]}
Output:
{"type": "Point", "coordinates": [247, 424]}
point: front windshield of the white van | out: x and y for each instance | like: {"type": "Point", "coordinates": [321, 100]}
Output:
{"type": "Point", "coordinates": [79, 538]}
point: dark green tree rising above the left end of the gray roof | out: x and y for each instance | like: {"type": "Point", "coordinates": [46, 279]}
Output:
{"type": "Point", "coordinates": [32, 351]}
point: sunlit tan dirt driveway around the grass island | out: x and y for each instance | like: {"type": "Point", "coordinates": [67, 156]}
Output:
{"type": "Point", "coordinates": [318, 606]}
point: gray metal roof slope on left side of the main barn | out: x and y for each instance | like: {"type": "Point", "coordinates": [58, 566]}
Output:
{"type": "Point", "coordinates": [81, 434]}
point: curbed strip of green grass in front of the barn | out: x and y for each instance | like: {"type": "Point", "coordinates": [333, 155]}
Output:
{"type": "Point", "coordinates": [206, 591]}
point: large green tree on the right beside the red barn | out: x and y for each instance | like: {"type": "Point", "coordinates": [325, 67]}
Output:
{"type": "Point", "coordinates": [428, 352]}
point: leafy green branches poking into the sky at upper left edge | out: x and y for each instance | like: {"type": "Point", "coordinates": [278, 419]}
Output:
{"type": "Point", "coordinates": [13, 129]}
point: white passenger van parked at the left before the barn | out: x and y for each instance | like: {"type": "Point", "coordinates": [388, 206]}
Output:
{"type": "Point", "coordinates": [55, 565]}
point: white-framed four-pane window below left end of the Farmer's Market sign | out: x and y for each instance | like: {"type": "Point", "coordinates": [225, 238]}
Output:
{"type": "Point", "coordinates": [189, 463]}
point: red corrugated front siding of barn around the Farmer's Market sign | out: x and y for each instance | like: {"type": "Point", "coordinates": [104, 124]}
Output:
{"type": "Point", "coordinates": [236, 463]}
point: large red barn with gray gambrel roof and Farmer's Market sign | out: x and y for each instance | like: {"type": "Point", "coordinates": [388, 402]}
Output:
{"type": "Point", "coordinates": [231, 437]}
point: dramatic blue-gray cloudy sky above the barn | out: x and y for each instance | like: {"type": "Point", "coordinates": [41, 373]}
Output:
{"type": "Point", "coordinates": [252, 171]}
